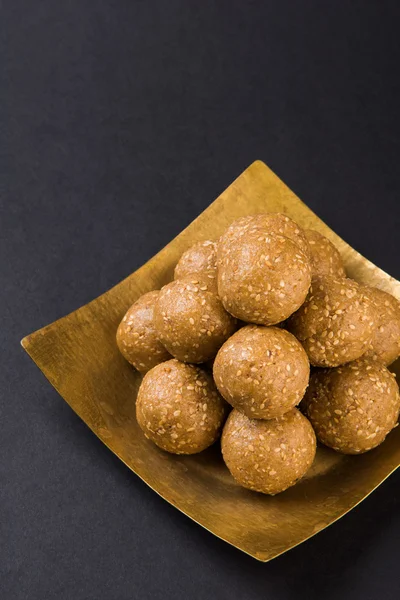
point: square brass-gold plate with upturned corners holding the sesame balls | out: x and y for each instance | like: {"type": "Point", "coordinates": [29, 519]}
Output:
{"type": "Point", "coordinates": [79, 356]}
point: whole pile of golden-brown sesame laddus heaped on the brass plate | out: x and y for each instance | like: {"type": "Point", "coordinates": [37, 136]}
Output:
{"type": "Point", "coordinates": [259, 306]}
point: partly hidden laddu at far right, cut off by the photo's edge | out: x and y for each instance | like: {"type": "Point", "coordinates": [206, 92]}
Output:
{"type": "Point", "coordinates": [385, 343]}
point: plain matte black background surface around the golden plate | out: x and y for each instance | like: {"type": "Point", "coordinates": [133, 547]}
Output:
{"type": "Point", "coordinates": [123, 120]}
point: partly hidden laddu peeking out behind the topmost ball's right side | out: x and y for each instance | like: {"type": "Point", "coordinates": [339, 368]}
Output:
{"type": "Point", "coordinates": [325, 257]}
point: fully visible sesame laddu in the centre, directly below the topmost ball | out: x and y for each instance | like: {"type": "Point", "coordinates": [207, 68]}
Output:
{"type": "Point", "coordinates": [262, 371]}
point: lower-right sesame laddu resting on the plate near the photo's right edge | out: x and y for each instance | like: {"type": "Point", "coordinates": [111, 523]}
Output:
{"type": "Point", "coordinates": [352, 408]}
